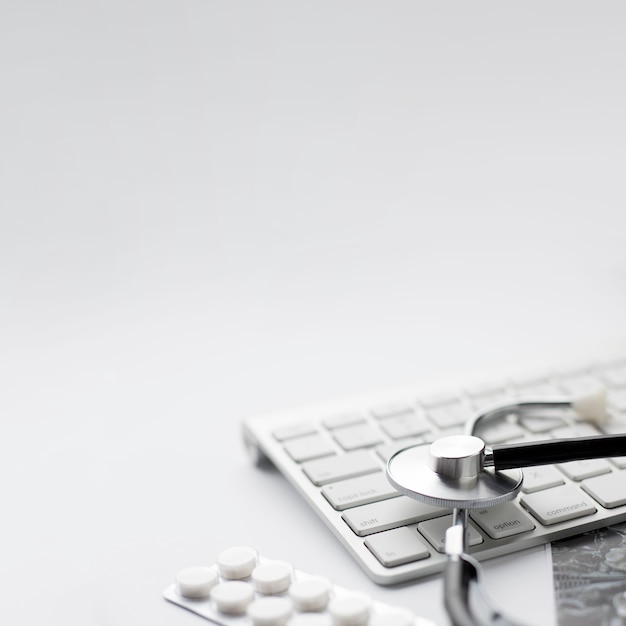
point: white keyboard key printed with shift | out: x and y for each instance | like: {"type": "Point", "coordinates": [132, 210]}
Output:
{"type": "Point", "coordinates": [372, 518]}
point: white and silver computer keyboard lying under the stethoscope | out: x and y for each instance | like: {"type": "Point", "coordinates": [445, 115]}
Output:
{"type": "Point", "coordinates": [335, 456]}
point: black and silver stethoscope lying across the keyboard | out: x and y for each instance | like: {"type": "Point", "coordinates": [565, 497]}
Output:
{"type": "Point", "coordinates": [461, 473]}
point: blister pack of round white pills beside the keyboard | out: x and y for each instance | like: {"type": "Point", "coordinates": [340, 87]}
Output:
{"type": "Point", "coordinates": [245, 589]}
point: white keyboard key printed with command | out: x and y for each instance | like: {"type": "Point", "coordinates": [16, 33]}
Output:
{"type": "Point", "coordinates": [556, 505]}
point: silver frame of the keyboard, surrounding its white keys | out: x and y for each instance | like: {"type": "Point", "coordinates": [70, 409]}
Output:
{"type": "Point", "coordinates": [258, 437]}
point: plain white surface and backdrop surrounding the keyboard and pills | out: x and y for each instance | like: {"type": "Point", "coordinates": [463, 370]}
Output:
{"type": "Point", "coordinates": [215, 209]}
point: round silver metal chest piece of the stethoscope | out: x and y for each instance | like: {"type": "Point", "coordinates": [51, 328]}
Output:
{"type": "Point", "coordinates": [450, 473]}
